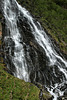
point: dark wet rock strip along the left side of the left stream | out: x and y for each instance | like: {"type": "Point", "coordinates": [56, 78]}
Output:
{"type": "Point", "coordinates": [7, 46]}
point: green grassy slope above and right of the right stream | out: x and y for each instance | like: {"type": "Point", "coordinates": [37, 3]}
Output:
{"type": "Point", "coordinates": [53, 17]}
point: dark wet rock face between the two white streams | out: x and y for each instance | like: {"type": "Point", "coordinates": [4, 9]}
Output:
{"type": "Point", "coordinates": [36, 58]}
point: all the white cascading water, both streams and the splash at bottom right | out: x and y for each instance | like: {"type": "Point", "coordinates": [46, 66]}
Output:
{"type": "Point", "coordinates": [42, 39]}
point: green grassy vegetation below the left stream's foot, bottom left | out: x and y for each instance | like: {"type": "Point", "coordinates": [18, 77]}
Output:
{"type": "Point", "coordinates": [12, 88]}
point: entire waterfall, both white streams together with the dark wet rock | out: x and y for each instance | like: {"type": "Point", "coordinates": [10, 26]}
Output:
{"type": "Point", "coordinates": [29, 52]}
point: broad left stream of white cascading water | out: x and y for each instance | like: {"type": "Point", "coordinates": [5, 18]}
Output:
{"type": "Point", "coordinates": [18, 58]}
